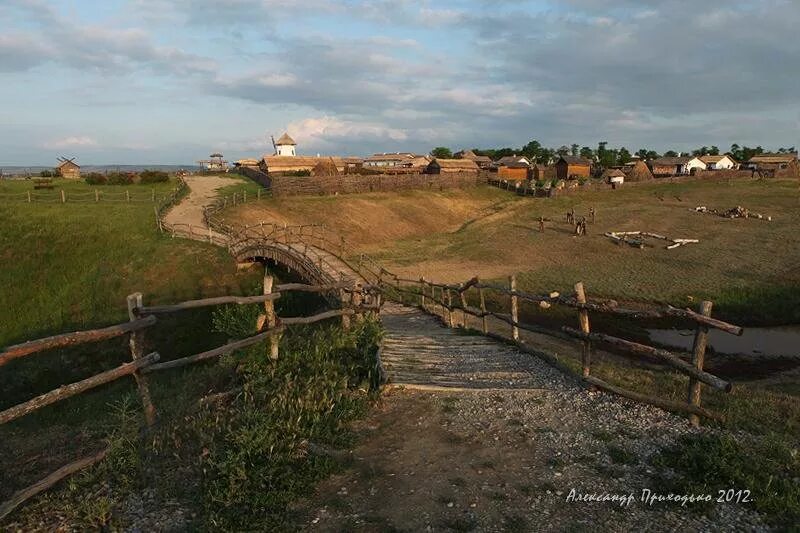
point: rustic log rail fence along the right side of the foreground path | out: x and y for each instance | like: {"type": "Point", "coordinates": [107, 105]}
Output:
{"type": "Point", "coordinates": [444, 300]}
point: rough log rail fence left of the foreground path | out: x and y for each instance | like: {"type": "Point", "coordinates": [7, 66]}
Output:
{"type": "Point", "coordinates": [356, 301]}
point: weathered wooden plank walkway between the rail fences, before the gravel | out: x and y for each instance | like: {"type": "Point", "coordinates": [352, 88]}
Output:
{"type": "Point", "coordinates": [419, 352]}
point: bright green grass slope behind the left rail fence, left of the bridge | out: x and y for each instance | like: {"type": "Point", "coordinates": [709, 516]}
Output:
{"type": "Point", "coordinates": [70, 266]}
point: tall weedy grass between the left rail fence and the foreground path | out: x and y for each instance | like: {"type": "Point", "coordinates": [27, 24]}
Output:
{"type": "Point", "coordinates": [229, 465]}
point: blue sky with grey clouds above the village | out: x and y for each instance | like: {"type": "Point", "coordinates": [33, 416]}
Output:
{"type": "Point", "coordinates": [171, 81]}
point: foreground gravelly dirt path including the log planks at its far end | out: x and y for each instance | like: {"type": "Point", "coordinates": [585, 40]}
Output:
{"type": "Point", "coordinates": [496, 442]}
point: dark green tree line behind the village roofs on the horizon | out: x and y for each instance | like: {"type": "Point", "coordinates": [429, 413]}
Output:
{"type": "Point", "coordinates": [603, 155]}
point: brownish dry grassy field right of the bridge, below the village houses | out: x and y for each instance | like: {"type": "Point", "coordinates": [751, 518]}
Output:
{"type": "Point", "coordinates": [750, 268]}
